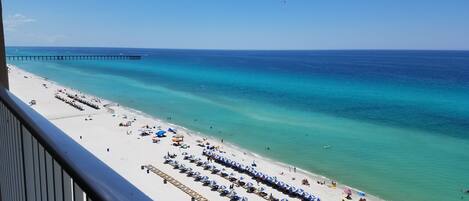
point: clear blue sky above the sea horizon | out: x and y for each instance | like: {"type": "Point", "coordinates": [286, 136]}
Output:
{"type": "Point", "coordinates": [239, 24]}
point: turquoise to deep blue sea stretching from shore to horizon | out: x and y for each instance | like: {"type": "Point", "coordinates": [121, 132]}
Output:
{"type": "Point", "coordinates": [397, 122]}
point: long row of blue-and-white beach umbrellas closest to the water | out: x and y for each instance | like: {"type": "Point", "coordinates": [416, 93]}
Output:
{"type": "Point", "coordinates": [262, 177]}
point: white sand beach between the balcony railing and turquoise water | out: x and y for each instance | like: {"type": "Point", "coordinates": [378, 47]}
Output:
{"type": "Point", "coordinates": [125, 150]}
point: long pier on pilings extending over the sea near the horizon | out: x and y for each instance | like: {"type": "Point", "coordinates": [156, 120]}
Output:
{"type": "Point", "coordinates": [72, 57]}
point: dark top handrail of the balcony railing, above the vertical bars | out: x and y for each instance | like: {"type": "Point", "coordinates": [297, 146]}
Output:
{"type": "Point", "coordinates": [98, 180]}
